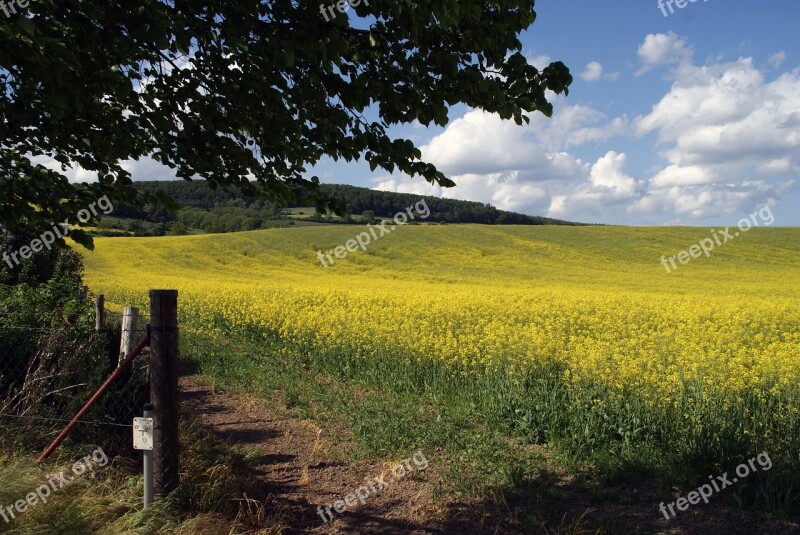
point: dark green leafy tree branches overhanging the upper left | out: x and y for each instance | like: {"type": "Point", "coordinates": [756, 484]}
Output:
{"type": "Point", "coordinates": [243, 93]}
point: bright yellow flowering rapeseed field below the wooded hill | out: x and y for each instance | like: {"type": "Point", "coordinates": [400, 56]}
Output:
{"type": "Point", "coordinates": [594, 299]}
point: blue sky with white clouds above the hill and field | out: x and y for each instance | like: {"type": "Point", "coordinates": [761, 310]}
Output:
{"type": "Point", "coordinates": [687, 119]}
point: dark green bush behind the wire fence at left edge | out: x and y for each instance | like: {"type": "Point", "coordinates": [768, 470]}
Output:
{"type": "Point", "coordinates": [52, 359]}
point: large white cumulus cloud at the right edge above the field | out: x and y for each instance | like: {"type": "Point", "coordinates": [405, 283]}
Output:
{"type": "Point", "coordinates": [731, 139]}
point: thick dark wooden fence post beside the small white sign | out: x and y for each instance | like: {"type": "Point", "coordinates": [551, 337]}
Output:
{"type": "Point", "coordinates": [164, 388]}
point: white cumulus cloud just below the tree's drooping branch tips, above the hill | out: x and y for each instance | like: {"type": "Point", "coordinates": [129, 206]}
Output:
{"type": "Point", "coordinates": [512, 167]}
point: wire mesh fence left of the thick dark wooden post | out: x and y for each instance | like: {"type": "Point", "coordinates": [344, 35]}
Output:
{"type": "Point", "coordinates": [50, 365]}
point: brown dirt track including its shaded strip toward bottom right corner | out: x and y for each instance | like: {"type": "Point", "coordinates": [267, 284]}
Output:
{"type": "Point", "coordinates": [298, 476]}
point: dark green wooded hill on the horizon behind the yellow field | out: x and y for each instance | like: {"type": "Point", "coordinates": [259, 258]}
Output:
{"type": "Point", "coordinates": [208, 210]}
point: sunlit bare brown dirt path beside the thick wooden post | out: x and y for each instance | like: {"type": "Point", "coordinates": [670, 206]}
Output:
{"type": "Point", "coordinates": [298, 478]}
